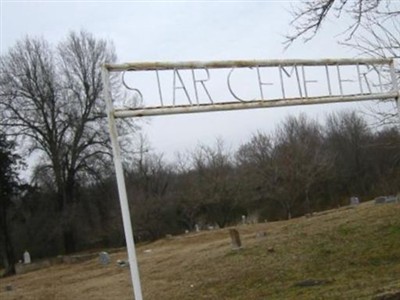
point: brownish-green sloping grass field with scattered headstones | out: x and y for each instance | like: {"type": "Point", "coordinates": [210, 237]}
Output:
{"type": "Point", "coordinates": [348, 253]}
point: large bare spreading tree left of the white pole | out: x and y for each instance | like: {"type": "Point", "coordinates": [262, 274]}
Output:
{"type": "Point", "coordinates": [51, 101]}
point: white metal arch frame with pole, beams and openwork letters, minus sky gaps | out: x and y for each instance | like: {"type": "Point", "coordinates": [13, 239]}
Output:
{"type": "Point", "coordinates": [386, 87]}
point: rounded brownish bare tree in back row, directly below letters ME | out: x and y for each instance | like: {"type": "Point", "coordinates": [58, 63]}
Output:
{"type": "Point", "coordinates": [299, 162]}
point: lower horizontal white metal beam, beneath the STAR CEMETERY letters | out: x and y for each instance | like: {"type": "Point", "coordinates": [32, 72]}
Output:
{"type": "Point", "coordinates": [210, 107]}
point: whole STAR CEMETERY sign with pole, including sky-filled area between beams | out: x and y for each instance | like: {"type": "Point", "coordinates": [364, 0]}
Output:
{"type": "Point", "coordinates": [192, 87]}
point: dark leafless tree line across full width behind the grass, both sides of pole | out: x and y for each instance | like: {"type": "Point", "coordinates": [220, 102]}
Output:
{"type": "Point", "coordinates": [302, 167]}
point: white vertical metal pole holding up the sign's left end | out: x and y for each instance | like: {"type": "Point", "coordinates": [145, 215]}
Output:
{"type": "Point", "coordinates": [123, 198]}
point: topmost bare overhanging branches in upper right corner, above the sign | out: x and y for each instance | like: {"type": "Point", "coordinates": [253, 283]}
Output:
{"type": "Point", "coordinates": [309, 16]}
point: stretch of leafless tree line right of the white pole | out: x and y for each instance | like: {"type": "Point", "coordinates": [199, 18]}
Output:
{"type": "Point", "coordinates": [303, 167]}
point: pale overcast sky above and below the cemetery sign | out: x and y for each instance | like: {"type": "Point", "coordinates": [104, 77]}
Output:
{"type": "Point", "coordinates": [180, 31]}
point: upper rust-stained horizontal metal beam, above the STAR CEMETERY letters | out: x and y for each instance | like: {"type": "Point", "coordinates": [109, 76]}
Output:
{"type": "Point", "coordinates": [149, 66]}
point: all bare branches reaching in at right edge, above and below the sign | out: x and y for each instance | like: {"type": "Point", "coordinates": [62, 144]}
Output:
{"type": "Point", "coordinates": [374, 31]}
